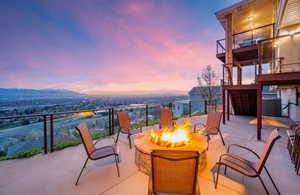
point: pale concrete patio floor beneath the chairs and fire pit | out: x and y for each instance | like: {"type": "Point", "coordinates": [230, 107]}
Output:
{"type": "Point", "coordinates": [56, 173]}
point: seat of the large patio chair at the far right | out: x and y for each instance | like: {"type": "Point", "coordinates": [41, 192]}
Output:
{"type": "Point", "coordinates": [239, 164]}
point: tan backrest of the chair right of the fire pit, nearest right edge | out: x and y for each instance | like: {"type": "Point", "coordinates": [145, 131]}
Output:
{"type": "Point", "coordinates": [266, 150]}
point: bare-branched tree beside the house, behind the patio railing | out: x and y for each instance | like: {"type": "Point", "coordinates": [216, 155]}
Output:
{"type": "Point", "coordinates": [207, 84]}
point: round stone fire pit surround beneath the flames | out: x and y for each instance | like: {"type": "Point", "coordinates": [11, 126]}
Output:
{"type": "Point", "coordinates": [144, 147]}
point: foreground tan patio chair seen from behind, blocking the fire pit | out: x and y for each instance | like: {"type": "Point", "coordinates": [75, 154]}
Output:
{"type": "Point", "coordinates": [174, 172]}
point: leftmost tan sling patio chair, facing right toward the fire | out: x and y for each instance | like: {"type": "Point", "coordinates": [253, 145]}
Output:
{"type": "Point", "coordinates": [94, 153]}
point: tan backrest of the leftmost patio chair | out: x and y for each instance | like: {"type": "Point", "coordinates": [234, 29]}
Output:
{"type": "Point", "coordinates": [86, 138]}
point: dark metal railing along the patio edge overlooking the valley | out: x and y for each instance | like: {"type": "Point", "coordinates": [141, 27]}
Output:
{"type": "Point", "coordinates": [47, 132]}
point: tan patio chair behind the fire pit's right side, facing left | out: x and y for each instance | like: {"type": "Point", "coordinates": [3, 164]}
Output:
{"type": "Point", "coordinates": [212, 126]}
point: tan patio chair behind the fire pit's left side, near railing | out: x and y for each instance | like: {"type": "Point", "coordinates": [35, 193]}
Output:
{"type": "Point", "coordinates": [125, 126]}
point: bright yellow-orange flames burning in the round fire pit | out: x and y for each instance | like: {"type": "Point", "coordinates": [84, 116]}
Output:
{"type": "Point", "coordinates": [179, 136]}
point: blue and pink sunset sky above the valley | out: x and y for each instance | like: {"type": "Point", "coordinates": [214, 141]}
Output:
{"type": "Point", "coordinates": [107, 45]}
